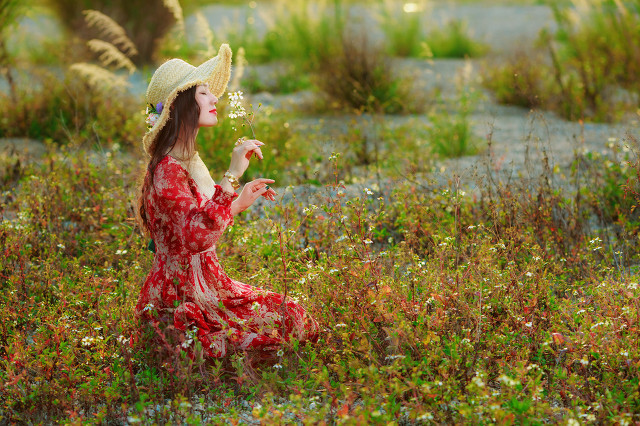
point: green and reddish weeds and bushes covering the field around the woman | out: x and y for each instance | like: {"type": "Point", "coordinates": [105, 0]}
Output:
{"type": "Point", "coordinates": [493, 301]}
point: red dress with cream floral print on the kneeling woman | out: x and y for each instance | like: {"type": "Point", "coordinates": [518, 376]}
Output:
{"type": "Point", "coordinates": [187, 282]}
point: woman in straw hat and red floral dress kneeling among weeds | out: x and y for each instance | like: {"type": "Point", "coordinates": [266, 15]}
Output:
{"type": "Point", "coordinates": [185, 213]}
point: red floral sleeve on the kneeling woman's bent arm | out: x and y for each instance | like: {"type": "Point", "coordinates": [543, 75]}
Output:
{"type": "Point", "coordinates": [199, 228]}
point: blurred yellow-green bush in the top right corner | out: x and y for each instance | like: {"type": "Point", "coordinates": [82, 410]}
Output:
{"type": "Point", "coordinates": [584, 70]}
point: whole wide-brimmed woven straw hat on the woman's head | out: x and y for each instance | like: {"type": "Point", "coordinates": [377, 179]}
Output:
{"type": "Point", "coordinates": [176, 75]}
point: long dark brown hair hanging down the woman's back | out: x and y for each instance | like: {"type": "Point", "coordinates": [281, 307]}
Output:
{"type": "Point", "coordinates": [183, 121]}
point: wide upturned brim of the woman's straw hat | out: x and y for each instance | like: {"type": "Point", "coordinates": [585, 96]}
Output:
{"type": "Point", "coordinates": [215, 73]}
